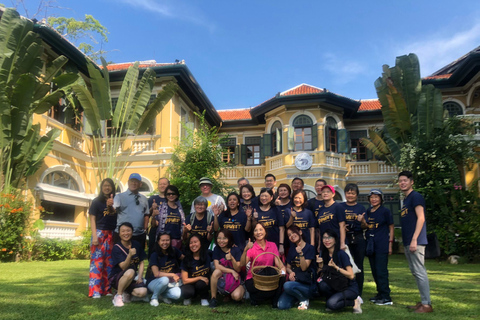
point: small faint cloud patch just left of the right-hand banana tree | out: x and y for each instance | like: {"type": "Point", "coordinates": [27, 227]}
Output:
{"type": "Point", "coordinates": [342, 70]}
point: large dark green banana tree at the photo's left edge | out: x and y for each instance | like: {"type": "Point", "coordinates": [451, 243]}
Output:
{"type": "Point", "coordinates": [25, 89]}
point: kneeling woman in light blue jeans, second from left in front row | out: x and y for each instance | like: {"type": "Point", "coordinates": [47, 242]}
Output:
{"type": "Point", "coordinates": [165, 266]}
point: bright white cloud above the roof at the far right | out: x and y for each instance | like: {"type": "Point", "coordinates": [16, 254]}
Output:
{"type": "Point", "coordinates": [437, 51]}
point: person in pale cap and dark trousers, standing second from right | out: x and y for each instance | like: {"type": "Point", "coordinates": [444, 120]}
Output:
{"type": "Point", "coordinates": [380, 230]}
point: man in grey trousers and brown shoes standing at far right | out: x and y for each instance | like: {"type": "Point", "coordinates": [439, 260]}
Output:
{"type": "Point", "coordinates": [414, 235]}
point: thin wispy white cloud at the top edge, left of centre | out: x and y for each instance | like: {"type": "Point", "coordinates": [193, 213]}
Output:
{"type": "Point", "coordinates": [173, 9]}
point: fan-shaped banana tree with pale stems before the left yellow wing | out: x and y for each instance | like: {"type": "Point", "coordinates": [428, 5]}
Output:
{"type": "Point", "coordinates": [132, 114]}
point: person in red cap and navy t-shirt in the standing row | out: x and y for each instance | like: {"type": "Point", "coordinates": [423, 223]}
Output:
{"type": "Point", "coordinates": [331, 216]}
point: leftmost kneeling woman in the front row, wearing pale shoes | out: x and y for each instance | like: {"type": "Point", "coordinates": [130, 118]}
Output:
{"type": "Point", "coordinates": [127, 259]}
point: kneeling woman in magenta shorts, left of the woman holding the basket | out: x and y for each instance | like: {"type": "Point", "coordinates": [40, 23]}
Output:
{"type": "Point", "coordinates": [227, 267]}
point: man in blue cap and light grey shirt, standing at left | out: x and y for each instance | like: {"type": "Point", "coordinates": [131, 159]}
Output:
{"type": "Point", "coordinates": [132, 207]}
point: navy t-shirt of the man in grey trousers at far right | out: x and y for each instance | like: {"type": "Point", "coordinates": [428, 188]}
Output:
{"type": "Point", "coordinates": [409, 219]}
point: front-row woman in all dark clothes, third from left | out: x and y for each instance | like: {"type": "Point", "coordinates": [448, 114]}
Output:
{"type": "Point", "coordinates": [195, 271]}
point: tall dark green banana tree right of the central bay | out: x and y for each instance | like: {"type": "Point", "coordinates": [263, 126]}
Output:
{"type": "Point", "coordinates": [409, 109]}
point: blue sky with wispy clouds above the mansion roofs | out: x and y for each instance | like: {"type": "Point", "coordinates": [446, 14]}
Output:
{"type": "Point", "coordinates": [244, 52]}
